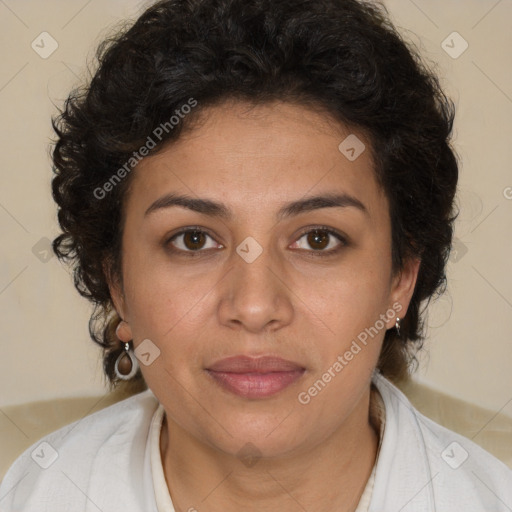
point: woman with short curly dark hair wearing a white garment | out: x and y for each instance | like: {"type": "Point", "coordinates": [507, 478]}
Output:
{"type": "Point", "coordinates": [258, 198]}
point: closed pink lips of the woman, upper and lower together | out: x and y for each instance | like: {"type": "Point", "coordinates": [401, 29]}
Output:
{"type": "Point", "coordinates": [250, 377]}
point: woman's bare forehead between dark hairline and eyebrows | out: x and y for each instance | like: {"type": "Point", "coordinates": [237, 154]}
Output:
{"type": "Point", "coordinates": [250, 156]}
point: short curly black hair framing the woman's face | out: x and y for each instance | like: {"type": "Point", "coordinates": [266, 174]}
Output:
{"type": "Point", "coordinates": [344, 57]}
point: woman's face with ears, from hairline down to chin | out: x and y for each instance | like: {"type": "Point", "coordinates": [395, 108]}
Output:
{"type": "Point", "coordinates": [267, 272]}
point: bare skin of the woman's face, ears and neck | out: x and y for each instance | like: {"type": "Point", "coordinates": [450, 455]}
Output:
{"type": "Point", "coordinates": [289, 302]}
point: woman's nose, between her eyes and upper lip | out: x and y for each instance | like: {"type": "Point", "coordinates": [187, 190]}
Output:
{"type": "Point", "coordinates": [255, 296]}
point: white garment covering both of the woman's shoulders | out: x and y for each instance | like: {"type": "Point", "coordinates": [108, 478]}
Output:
{"type": "Point", "coordinates": [104, 463]}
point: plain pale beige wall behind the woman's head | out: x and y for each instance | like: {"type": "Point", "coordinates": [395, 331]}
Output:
{"type": "Point", "coordinates": [45, 348]}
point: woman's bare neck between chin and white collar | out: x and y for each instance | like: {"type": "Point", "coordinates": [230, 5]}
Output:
{"type": "Point", "coordinates": [332, 476]}
